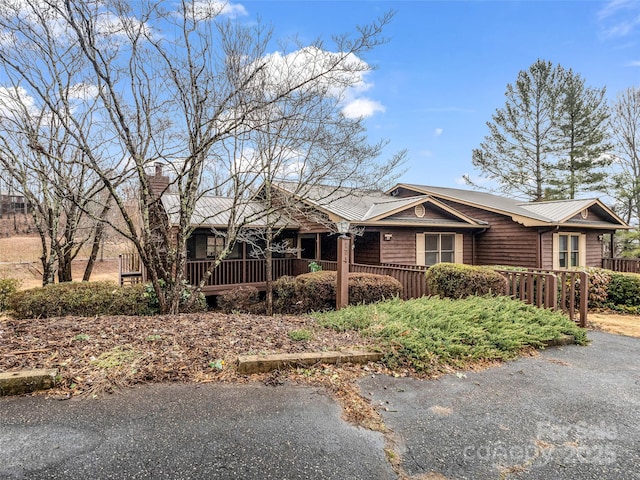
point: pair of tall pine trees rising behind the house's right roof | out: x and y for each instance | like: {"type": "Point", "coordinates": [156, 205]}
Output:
{"type": "Point", "coordinates": [550, 139]}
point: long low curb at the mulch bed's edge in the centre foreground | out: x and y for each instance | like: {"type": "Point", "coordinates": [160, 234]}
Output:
{"type": "Point", "coordinates": [248, 364]}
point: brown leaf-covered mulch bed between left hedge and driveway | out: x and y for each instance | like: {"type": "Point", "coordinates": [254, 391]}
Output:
{"type": "Point", "coordinates": [99, 354]}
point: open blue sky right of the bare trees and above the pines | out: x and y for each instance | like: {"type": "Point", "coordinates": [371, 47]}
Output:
{"type": "Point", "coordinates": [447, 64]}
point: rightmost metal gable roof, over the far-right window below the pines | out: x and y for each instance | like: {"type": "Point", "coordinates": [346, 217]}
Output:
{"type": "Point", "coordinates": [550, 213]}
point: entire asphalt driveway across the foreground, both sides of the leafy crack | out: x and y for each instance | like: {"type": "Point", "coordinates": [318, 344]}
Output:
{"type": "Point", "coordinates": [571, 412]}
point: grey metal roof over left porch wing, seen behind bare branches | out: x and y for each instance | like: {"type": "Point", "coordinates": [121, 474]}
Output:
{"type": "Point", "coordinates": [212, 211]}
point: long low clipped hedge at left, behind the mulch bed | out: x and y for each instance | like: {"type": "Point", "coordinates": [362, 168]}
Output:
{"type": "Point", "coordinates": [81, 299]}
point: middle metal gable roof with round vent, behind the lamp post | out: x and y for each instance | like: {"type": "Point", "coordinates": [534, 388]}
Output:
{"type": "Point", "coordinates": [374, 207]}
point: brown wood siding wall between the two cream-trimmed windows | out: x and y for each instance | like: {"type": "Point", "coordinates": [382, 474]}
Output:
{"type": "Point", "coordinates": [505, 242]}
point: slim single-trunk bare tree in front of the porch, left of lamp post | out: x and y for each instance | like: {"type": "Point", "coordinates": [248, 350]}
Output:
{"type": "Point", "coordinates": [304, 140]}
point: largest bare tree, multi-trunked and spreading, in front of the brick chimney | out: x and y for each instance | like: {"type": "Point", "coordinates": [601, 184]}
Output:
{"type": "Point", "coordinates": [171, 85]}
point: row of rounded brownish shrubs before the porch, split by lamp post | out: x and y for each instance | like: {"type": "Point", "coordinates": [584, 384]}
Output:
{"type": "Point", "coordinates": [311, 292]}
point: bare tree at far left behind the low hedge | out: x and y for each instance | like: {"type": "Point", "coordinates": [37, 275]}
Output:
{"type": "Point", "coordinates": [36, 152]}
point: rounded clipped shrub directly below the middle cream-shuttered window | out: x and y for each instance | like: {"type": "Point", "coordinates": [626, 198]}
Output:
{"type": "Point", "coordinates": [452, 280]}
